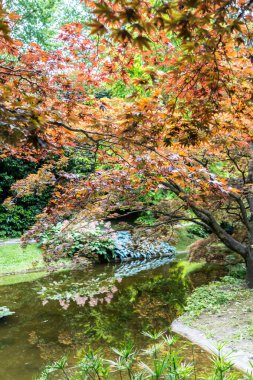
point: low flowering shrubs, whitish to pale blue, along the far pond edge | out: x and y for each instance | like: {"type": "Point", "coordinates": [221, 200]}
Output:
{"type": "Point", "coordinates": [98, 241]}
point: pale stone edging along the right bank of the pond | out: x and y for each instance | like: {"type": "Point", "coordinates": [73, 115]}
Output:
{"type": "Point", "coordinates": [240, 359]}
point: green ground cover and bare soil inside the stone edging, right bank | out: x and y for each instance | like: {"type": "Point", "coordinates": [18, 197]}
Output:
{"type": "Point", "coordinates": [222, 311]}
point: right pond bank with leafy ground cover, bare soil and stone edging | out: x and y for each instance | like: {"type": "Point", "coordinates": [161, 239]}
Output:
{"type": "Point", "coordinates": [221, 312]}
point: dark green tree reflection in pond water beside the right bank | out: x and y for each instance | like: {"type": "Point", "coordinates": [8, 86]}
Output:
{"type": "Point", "coordinates": [151, 302]}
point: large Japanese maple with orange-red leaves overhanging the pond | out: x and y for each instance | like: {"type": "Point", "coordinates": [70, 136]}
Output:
{"type": "Point", "coordinates": [183, 123]}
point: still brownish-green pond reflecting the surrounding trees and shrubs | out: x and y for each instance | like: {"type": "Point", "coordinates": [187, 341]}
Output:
{"type": "Point", "coordinates": [98, 307]}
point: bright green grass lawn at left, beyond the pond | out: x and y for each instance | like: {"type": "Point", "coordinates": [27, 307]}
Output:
{"type": "Point", "coordinates": [13, 258]}
